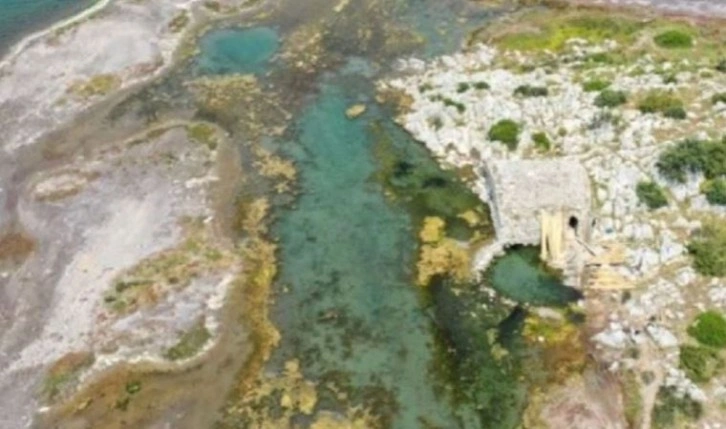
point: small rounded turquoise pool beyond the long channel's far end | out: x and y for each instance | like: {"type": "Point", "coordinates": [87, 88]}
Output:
{"type": "Point", "coordinates": [237, 50]}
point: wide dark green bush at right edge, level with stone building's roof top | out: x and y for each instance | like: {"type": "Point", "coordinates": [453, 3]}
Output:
{"type": "Point", "coordinates": [693, 156]}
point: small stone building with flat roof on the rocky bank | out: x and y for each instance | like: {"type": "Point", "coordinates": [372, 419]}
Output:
{"type": "Point", "coordinates": [543, 202]}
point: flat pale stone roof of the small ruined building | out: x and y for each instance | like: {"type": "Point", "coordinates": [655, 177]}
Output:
{"type": "Point", "coordinates": [520, 189]}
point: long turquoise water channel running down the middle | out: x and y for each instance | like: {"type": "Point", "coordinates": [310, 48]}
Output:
{"type": "Point", "coordinates": [351, 314]}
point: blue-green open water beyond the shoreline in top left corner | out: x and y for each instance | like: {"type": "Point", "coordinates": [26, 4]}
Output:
{"type": "Point", "coordinates": [20, 17]}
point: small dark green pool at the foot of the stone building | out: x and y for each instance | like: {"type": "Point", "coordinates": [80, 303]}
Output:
{"type": "Point", "coordinates": [521, 276]}
